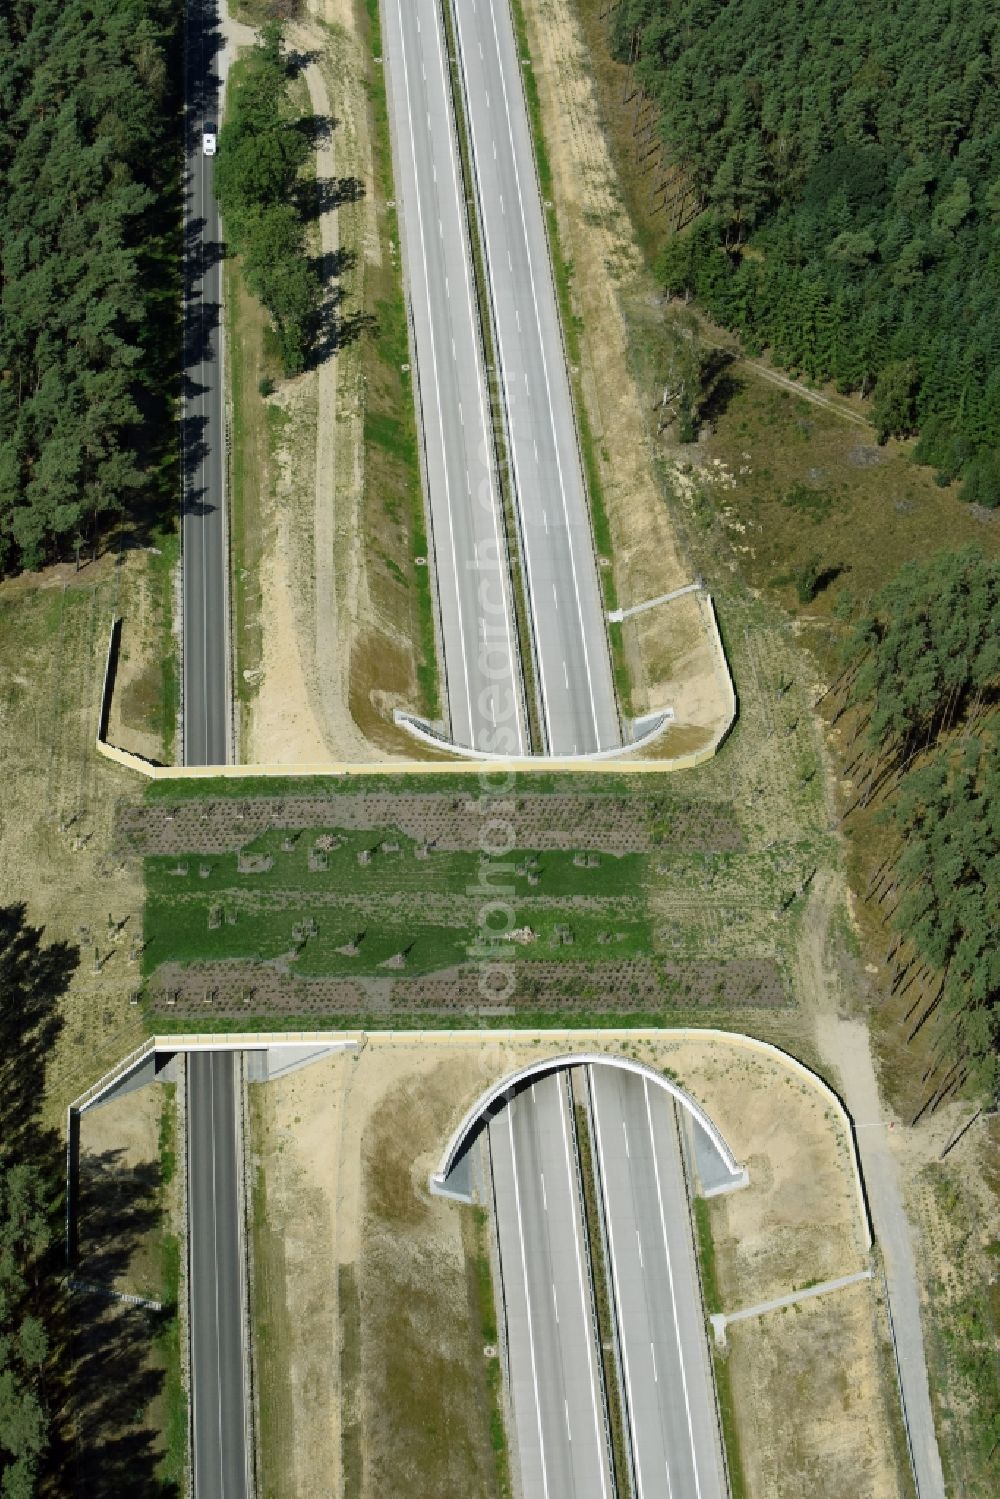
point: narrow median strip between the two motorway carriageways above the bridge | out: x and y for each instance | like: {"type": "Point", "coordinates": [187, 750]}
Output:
{"type": "Point", "coordinates": [512, 534]}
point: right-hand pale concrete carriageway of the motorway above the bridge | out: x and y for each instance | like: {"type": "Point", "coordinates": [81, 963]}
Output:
{"type": "Point", "coordinates": [564, 599]}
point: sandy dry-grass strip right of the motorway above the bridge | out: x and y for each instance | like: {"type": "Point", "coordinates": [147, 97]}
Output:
{"type": "Point", "coordinates": [668, 651]}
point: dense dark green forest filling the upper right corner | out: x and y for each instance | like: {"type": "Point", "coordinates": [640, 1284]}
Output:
{"type": "Point", "coordinates": [848, 160]}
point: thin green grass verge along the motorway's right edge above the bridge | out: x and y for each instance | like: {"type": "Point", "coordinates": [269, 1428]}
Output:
{"type": "Point", "coordinates": [572, 326]}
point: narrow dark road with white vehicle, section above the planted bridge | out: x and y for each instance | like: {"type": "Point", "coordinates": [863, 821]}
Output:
{"type": "Point", "coordinates": [206, 626]}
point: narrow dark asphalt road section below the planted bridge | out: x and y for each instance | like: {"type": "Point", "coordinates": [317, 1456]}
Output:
{"type": "Point", "coordinates": [220, 1450]}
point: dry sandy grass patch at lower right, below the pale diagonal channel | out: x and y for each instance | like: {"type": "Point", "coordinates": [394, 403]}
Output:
{"type": "Point", "coordinates": [812, 1401]}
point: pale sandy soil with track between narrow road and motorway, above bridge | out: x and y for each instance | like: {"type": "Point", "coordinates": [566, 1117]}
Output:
{"type": "Point", "coordinates": [316, 600]}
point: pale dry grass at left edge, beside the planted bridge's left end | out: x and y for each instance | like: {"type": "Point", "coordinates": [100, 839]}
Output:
{"type": "Point", "coordinates": [56, 821]}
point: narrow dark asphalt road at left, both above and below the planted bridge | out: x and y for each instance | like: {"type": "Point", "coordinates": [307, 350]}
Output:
{"type": "Point", "coordinates": [215, 1285]}
